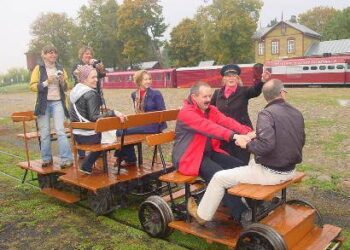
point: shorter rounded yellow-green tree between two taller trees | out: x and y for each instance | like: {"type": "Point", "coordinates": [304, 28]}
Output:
{"type": "Point", "coordinates": [185, 44]}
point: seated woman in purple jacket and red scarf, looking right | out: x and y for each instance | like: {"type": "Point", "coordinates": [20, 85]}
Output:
{"type": "Point", "coordinates": [145, 99]}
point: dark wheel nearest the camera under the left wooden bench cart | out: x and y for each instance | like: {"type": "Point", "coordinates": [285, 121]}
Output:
{"type": "Point", "coordinates": [101, 202]}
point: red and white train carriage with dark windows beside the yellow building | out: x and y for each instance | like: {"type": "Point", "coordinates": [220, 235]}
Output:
{"type": "Point", "coordinates": [328, 71]}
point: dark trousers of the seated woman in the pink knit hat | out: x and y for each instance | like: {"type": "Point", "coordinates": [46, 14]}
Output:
{"type": "Point", "coordinates": [92, 156]}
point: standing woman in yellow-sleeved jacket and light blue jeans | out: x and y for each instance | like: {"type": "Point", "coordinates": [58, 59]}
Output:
{"type": "Point", "coordinates": [49, 80]}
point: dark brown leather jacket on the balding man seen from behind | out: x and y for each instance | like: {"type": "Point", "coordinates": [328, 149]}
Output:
{"type": "Point", "coordinates": [280, 136]}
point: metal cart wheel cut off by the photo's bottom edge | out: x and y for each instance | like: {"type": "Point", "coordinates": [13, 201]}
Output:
{"type": "Point", "coordinates": [260, 237]}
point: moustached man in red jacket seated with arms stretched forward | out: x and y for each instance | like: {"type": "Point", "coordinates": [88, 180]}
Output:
{"type": "Point", "coordinates": [199, 129]}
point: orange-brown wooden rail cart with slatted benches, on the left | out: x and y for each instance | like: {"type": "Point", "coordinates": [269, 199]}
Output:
{"type": "Point", "coordinates": [106, 188]}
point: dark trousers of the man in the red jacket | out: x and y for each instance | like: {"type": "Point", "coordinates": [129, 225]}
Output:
{"type": "Point", "coordinates": [213, 162]}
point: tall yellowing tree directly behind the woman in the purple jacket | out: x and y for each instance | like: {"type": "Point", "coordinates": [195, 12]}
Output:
{"type": "Point", "coordinates": [140, 27]}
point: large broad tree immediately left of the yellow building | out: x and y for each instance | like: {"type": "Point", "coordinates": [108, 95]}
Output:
{"type": "Point", "coordinates": [227, 28]}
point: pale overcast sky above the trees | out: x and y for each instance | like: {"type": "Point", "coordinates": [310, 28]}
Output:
{"type": "Point", "coordinates": [17, 16]}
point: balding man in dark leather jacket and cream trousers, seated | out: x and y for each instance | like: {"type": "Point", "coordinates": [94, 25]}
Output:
{"type": "Point", "coordinates": [280, 137]}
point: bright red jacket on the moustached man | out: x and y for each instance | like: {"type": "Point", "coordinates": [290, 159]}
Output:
{"type": "Point", "coordinates": [193, 128]}
